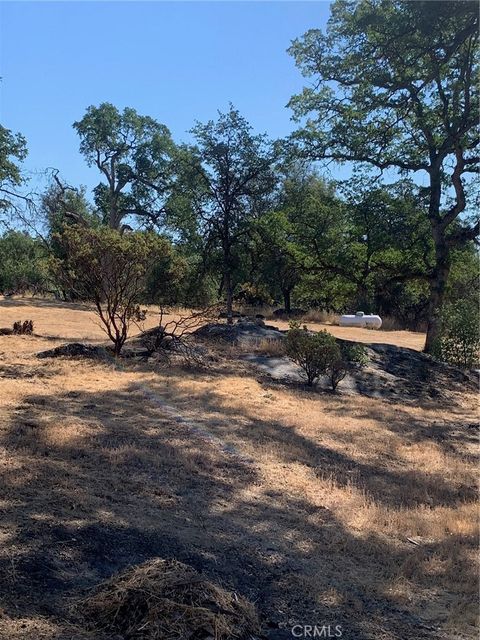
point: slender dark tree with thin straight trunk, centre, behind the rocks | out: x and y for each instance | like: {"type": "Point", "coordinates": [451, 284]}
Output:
{"type": "Point", "coordinates": [232, 182]}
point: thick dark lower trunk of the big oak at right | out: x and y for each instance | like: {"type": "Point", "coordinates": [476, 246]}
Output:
{"type": "Point", "coordinates": [438, 283]}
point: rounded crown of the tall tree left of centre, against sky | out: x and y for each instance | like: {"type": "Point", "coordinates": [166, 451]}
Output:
{"type": "Point", "coordinates": [134, 154]}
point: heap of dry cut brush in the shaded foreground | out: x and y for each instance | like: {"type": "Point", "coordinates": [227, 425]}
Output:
{"type": "Point", "coordinates": [168, 600]}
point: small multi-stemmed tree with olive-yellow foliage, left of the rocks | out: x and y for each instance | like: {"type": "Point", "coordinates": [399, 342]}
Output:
{"type": "Point", "coordinates": [110, 269]}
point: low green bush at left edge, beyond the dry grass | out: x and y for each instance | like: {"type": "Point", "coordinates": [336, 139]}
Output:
{"type": "Point", "coordinates": [23, 263]}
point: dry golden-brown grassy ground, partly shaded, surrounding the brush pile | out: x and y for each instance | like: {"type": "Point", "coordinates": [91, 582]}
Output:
{"type": "Point", "coordinates": [320, 509]}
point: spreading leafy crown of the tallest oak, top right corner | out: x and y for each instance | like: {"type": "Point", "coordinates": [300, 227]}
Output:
{"type": "Point", "coordinates": [387, 105]}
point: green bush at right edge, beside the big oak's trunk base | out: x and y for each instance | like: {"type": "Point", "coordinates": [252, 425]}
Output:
{"type": "Point", "coordinates": [459, 341]}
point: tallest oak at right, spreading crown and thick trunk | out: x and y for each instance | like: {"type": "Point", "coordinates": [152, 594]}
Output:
{"type": "Point", "coordinates": [396, 87]}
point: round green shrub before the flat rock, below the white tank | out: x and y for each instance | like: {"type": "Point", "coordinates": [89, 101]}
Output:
{"type": "Point", "coordinates": [313, 352]}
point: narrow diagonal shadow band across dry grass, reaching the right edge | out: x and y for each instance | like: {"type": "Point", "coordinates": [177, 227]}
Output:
{"type": "Point", "coordinates": [387, 486]}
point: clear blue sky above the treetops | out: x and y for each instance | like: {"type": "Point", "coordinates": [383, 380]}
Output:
{"type": "Point", "coordinates": [175, 61]}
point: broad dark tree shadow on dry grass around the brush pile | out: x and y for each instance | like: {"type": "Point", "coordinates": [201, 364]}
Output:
{"type": "Point", "coordinates": [97, 481]}
